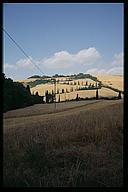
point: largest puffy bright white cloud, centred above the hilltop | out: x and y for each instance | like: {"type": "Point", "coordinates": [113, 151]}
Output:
{"type": "Point", "coordinates": [64, 59]}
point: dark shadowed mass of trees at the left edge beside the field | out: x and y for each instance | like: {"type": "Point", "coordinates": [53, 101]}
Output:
{"type": "Point", "coordinates": [15, 95]}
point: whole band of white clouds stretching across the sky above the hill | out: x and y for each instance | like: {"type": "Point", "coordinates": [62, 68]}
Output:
{"type": "Point", "coordinates": [63, 62]}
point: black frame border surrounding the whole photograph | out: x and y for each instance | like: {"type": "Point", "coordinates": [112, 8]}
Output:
{"type": "Point", "coordinates": [125, 149]}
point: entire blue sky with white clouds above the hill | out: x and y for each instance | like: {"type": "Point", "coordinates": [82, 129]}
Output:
{"type": "Point", "coordinates": [63, 38]}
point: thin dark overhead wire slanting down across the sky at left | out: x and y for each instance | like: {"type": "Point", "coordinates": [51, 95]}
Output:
{"type": "Point", "coordinates": [22, 50]}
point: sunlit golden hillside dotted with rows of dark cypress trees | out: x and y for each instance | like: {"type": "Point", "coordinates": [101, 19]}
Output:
{"type": "Point", "coordinates": [72, 85]}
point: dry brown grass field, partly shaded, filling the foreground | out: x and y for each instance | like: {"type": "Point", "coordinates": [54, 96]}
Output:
{"type": "Point", "coordinates": [79, 145]}
